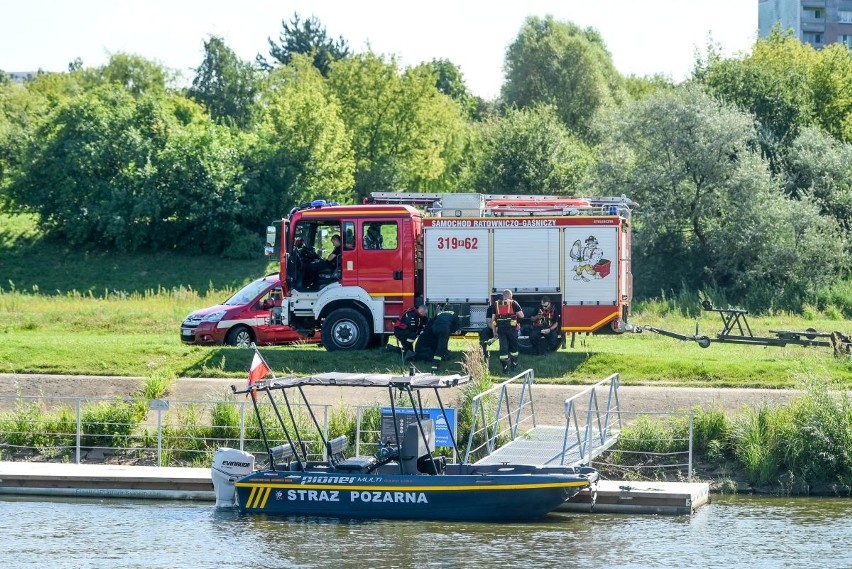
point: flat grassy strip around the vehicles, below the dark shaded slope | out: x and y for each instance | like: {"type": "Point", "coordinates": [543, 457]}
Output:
{"type": "Point", "coordinates": [136, 333]}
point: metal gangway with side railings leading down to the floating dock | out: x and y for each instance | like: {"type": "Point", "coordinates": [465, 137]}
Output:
{"type": "Point", "coordinates": [504, 427]}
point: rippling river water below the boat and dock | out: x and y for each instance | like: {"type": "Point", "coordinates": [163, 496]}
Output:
{"type": "Point", "coordinates": [733, 531]}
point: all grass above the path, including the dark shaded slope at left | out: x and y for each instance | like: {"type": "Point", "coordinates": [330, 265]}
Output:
{"type": "Point", "coordinates": [65, 312]}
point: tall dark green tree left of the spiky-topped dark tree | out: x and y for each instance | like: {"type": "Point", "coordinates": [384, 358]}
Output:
{"type": "Point", "coordinates": [225, 85]}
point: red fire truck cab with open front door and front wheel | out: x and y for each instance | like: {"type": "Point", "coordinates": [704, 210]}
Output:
{"type": "Point", "coordinates": [354, 298]}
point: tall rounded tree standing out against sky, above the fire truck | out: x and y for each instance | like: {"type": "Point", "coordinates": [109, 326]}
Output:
{"type": "Point", "coordinates": [559, 64]}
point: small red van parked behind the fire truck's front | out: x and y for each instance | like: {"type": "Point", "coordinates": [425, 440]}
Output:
{"type": "Point", "coordinates": [253, 314]}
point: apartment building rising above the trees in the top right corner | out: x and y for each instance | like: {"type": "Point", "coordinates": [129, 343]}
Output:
{"type": "Point", "coordinates": [817, 22]}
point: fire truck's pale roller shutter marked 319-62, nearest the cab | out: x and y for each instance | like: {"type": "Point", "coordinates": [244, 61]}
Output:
{"type": "Point", "coordinates": [456, 262]}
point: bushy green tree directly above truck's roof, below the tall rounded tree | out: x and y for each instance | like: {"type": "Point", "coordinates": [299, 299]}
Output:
{"type": "Point", "coordinates": [530, 151]}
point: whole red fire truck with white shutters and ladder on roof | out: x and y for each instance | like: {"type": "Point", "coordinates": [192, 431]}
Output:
{"type": "Point", "coordinates": [455, 250]}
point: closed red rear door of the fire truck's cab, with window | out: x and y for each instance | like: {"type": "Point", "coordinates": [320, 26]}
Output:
{"type": "Point", "coordinates": [379, 258]}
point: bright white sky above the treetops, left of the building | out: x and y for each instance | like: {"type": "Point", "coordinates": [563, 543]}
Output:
{"type": "Point", "coordinates": [645, 37]}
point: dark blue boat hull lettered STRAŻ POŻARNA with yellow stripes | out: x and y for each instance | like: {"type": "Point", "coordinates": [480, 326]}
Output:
{"type": "Point", "coordinates": [396, 496]}
